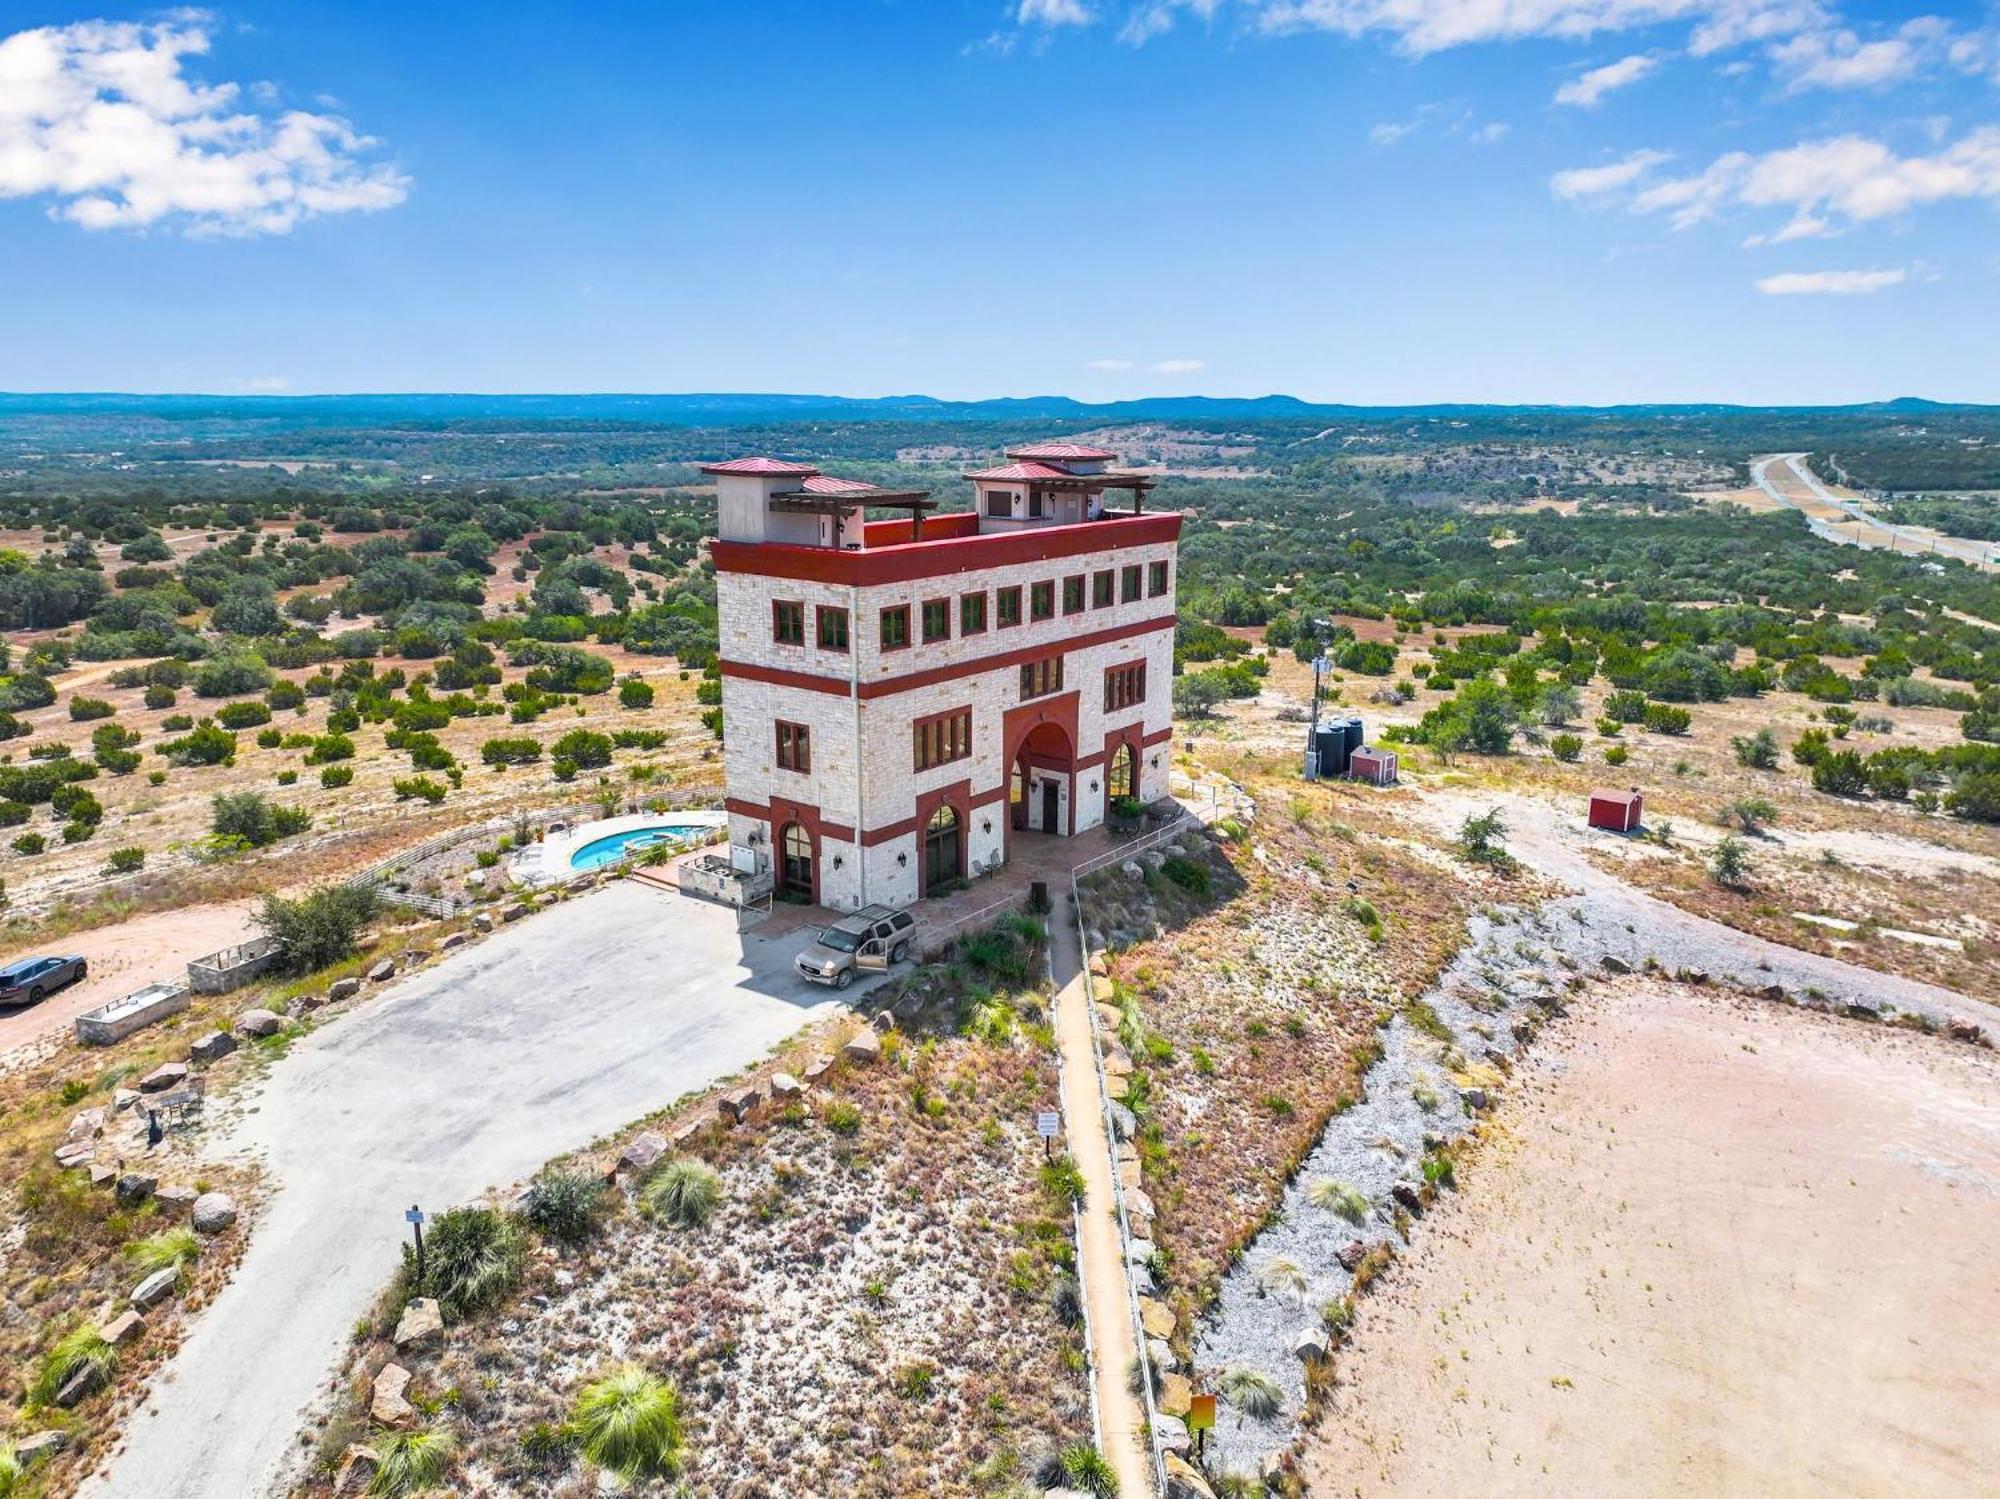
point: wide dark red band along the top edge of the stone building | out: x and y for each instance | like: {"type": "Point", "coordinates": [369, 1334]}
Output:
{"type": "Point", "coordinates": [945, 557]}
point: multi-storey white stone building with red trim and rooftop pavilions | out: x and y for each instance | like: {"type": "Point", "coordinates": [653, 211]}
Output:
{"type": "Point", "coordinates": [907, 701]}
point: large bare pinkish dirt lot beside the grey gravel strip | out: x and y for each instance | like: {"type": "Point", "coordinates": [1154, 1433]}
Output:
{"type": "Point", "coordinates": [1715, 1248]}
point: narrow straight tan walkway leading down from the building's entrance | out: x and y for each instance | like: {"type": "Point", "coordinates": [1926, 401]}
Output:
{"type": "Point", "coordinates": [1101, 1256]}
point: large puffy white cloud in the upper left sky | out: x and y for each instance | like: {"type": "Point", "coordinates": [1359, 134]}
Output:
{"type": "Point", "coordinates": [101, 119]}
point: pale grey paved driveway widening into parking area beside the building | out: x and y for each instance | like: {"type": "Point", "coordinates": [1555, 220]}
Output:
{"type": "Point", "coordinates": [469, 1076]}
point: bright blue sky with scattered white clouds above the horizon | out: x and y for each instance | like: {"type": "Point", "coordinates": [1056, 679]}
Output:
{"type": "Point", "coordinates": [1367, 201]}
